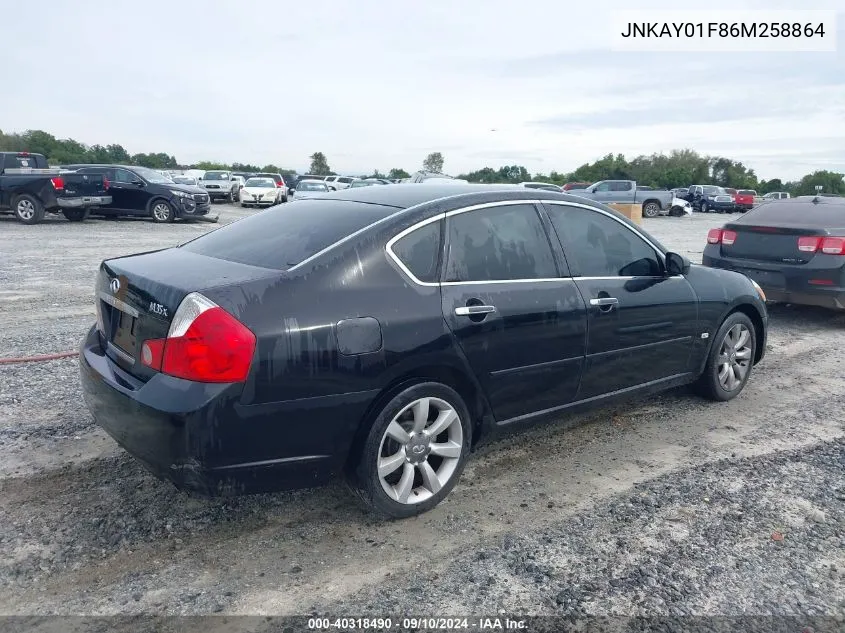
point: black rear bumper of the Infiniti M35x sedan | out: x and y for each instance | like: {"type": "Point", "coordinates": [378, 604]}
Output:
{"type": "Point", "coordinates": [199, 437]}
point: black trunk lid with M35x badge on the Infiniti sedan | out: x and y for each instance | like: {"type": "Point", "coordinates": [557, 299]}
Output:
{"type": "Point", "coordinates": [137, 297]}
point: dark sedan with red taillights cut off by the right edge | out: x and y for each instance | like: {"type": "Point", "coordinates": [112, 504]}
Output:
{"type": "Point", "coordinates": [794, 248]}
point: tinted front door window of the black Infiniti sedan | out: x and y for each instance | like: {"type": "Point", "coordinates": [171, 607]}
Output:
{"type": "Point", "coordinates": [599, 246]}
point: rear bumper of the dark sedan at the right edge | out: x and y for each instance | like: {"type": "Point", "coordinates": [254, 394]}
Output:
{"type": "Point", "coordinates": [787, 284]}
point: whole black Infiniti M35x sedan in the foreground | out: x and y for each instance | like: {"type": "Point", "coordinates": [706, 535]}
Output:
{"type": "Point", "coordinates": [382, 332]}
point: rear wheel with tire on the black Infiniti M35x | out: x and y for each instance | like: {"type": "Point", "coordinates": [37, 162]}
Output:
{"type": "Point", "coordinates": [415, 451]}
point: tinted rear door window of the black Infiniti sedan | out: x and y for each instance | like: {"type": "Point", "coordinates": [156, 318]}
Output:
{"type": "Point", "coordinates": [499, 243]}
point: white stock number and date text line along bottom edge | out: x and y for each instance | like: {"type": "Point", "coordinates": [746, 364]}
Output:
{"type": "Point", "coordinates": [414, 624]}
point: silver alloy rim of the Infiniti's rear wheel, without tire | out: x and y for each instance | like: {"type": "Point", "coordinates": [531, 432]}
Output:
{"type": "Point", "coordinates": [420, 450]}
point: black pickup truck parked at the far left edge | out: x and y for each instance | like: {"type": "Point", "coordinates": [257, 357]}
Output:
{"type": "Point", "coordinates": [29, 189]}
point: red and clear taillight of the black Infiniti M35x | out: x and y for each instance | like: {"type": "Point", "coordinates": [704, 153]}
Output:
{"type": "Point", "coordinates": [204, 344]}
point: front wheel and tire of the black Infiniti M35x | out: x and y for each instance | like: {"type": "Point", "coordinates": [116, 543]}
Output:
{"type": "Point", "coordinates": [730, 359]}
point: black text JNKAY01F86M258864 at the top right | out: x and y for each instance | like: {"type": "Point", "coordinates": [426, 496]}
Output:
{"type": "Point", "coordinates": [723, 30]}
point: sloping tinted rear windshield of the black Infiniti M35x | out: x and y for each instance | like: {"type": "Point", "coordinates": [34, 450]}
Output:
{"type": "Point", "coordinates": [283, 236]}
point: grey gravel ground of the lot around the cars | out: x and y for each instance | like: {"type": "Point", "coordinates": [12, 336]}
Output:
{"type": "Point", "coordinates": [666, 506]}
